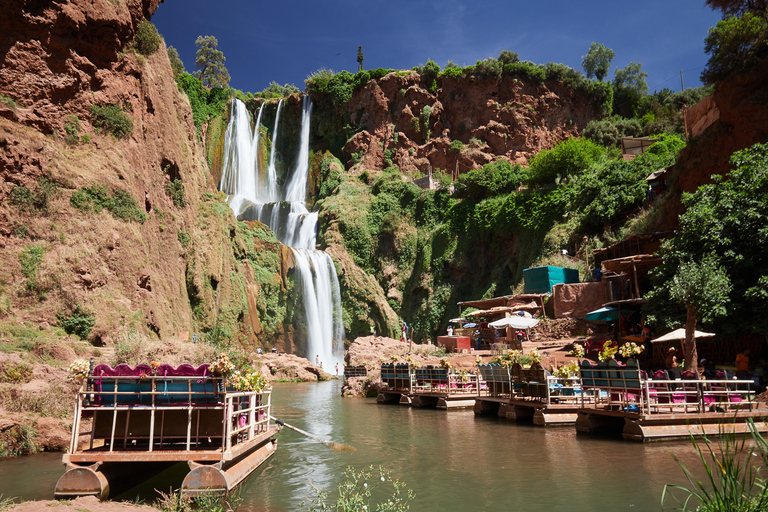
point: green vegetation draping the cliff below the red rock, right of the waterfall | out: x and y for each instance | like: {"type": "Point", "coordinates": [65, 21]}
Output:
{"type": "Point", "coordinates": [428, 249]}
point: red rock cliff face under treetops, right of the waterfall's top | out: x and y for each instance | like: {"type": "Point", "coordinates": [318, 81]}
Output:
{"type": "Point", "coordinates": [509, 118]}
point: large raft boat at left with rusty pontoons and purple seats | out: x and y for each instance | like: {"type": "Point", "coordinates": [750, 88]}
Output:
{"type": "Point", "coordinates": [138, 421]}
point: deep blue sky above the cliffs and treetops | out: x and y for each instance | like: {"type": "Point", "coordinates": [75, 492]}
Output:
{"type": "Point", "coordinates": [287, 41]}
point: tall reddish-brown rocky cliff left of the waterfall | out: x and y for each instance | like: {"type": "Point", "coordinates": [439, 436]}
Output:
{"type": "Point", "coordinates": [127, 231]}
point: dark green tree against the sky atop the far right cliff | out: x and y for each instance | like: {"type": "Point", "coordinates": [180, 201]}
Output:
{"type": "Point", "coordinates": [733, 45]}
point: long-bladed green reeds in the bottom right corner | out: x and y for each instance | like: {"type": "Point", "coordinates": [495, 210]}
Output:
{"type": "Point", "coordinates": [732, 467]}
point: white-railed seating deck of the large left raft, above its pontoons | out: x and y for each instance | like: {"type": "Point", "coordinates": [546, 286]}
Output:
{"type": "Point", "coordinates": [171, 412]}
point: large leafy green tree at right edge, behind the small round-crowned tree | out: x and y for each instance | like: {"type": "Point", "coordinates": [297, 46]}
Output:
{"type": "Point", "coordinates": [725, 218]}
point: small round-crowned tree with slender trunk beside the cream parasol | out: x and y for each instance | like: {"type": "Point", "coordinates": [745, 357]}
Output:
{"type": "Point", "coordinates": [699, 286]}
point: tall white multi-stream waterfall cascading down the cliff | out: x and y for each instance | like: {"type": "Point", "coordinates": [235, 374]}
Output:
{"type": "Point", "coordinates": [255, 194]}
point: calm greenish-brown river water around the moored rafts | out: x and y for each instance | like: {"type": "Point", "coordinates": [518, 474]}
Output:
{"type": "Point", "coordinates": [453, 460]}
